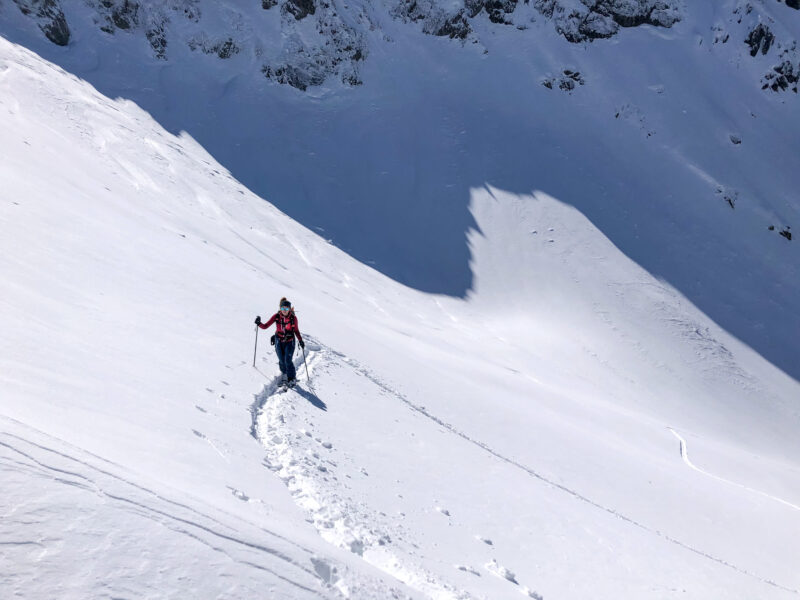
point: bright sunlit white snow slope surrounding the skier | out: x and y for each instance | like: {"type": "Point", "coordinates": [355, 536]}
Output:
{"type": "Point", "coordinates": [521, 441]}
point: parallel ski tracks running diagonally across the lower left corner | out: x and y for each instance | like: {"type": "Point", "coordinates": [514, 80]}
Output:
{"type": "Point", "coordinates": [127, 495]}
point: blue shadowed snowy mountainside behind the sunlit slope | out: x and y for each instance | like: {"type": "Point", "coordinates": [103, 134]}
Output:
{"type": "Point", "coordinates": [677, 137]}
